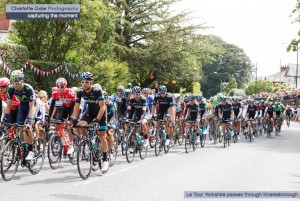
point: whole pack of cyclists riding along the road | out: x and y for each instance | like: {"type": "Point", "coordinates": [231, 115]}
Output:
{"type": "Point", "coordinates": [90, 104]}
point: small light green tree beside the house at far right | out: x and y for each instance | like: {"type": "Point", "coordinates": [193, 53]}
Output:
{"type": "Point", "coordinates": [261, 86]}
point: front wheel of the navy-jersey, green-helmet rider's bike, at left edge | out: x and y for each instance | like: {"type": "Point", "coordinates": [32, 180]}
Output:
{"type": "Point", "coordinates": [10, 159]}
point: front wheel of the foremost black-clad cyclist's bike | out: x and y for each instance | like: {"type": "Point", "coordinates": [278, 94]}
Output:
{"type": "Point", "coordinates": [84, 159]}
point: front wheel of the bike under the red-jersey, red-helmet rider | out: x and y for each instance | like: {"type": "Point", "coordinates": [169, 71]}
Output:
{"type": "Point", "coordinates": [55, 149]}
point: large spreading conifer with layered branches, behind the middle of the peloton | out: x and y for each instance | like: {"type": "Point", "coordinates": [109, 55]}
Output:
{"type": "Point", "coordinates": [151, 39]}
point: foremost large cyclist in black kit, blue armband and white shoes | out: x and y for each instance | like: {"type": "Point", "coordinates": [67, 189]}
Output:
{"type": "Point", "coordinates": [95, 112]}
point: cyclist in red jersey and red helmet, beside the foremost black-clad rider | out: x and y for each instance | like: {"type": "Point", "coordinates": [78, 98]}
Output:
{"type": "Point", "coordinates": [67, 97]}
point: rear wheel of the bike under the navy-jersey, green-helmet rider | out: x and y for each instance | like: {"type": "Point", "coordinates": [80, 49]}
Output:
{"type": "Point", "coordinates": [39, 155]}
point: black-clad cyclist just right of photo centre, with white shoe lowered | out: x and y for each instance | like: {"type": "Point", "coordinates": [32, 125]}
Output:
{"type": "Point", "coordinates": [163, 105]}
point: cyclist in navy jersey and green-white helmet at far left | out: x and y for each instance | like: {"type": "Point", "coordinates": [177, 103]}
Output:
{"type": "Point", "coordinates": [25, 93]}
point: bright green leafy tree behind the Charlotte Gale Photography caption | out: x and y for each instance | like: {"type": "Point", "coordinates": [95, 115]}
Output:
{"type": "Point", "coordinates": [85, 41]}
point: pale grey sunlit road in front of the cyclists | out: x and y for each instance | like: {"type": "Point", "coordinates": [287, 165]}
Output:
{"type": "Point", "coordinates": [263, 165]}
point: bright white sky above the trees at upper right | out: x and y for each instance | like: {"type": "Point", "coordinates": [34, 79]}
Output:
{"type": "Point", "coordinates": [263, 28]}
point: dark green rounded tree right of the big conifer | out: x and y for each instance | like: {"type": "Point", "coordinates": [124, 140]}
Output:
{"type": "Point", "coordinates": [228, 60]}
